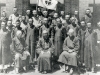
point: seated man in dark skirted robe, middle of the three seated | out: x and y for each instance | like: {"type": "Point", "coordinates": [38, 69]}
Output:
{"type": "Point", "coordinates": [45, 47]}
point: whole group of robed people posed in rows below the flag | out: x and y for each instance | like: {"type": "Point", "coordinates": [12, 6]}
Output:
{"type": "Point", "coordinates": [56, 41]}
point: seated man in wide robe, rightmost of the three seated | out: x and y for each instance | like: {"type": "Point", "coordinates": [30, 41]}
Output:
{"type": "Point", "coordinates": [70, 49]}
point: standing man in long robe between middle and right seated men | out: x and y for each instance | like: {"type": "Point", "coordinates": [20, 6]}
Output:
{"type": "Point", "coordinates": [60, 34]}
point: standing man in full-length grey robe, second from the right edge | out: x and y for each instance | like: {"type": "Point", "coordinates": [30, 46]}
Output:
{"type": "Point", "coordinates": [89, 48]}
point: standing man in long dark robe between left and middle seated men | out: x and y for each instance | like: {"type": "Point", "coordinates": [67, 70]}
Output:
{"type": "Point", "coordinates": [31, 39]}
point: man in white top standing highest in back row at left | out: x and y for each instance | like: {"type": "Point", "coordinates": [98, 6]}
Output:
{"type": "Point", "coordinates": [14, 17]}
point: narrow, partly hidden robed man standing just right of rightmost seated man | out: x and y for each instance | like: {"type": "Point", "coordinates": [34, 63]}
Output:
{"type": "Point", "coordinates": [81, 35]}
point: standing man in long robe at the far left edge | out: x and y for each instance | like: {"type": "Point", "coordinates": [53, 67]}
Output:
{"type": "Point", "coordinates": [5, 54]}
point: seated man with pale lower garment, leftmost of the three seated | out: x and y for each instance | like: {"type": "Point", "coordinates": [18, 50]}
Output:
{"type": "Point", "coordinates": [20, 52]}
